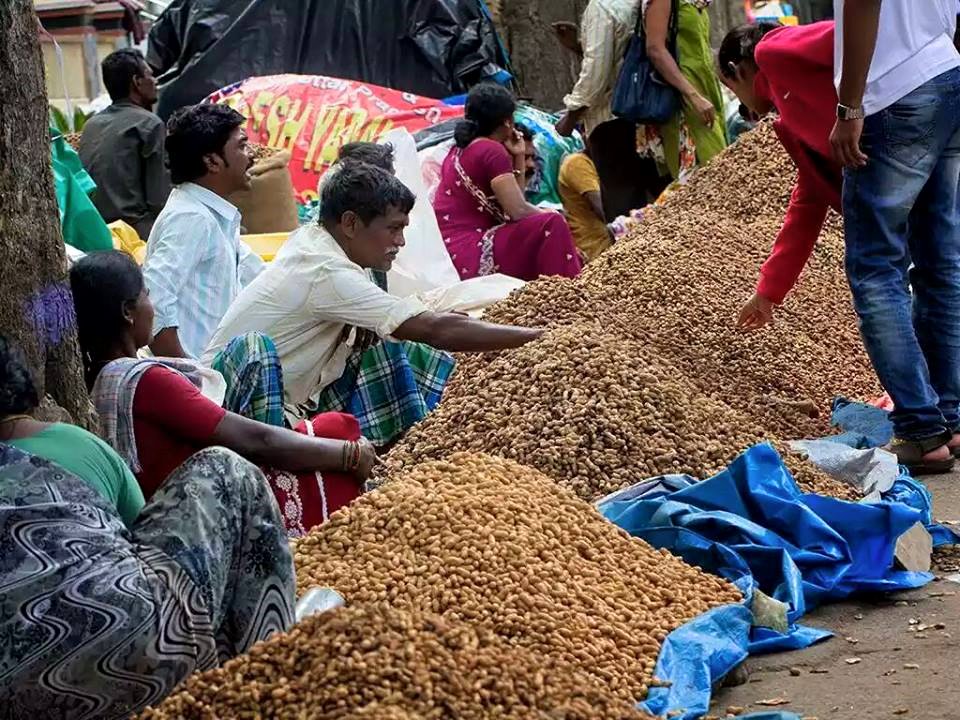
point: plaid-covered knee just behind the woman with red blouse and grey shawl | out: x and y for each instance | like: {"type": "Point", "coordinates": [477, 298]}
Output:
{"type": "Point", "coordinates": [251, 366]}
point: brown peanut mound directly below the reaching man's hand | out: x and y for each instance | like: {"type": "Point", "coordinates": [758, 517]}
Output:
{"type": "Point", "coordinates": [596, 411]}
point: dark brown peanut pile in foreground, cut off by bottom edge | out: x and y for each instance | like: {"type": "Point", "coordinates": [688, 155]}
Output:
{"type": "Point", "coordinates": [382, 663]}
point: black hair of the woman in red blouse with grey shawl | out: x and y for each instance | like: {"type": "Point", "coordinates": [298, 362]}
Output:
{"type": "Point", "coordinates": [103, 284]}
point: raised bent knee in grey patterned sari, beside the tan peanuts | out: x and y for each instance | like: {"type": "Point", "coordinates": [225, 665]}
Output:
{"type": "Point", "coordinates": [216, 517]}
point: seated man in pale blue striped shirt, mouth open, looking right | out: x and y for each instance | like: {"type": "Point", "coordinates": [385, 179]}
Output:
{"type": "Point", "coordinates": [196, 264]}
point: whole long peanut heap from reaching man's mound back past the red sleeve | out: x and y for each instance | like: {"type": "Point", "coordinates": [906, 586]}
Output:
{"type": "Point", "coordinates": [643, 371]}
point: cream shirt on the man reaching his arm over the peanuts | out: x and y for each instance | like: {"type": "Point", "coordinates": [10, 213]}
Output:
{"type": "Point", "coordinates": [307, 300]}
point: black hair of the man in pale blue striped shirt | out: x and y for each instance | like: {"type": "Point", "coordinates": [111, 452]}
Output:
{"type": "Point", "coordinates": [195, 132]}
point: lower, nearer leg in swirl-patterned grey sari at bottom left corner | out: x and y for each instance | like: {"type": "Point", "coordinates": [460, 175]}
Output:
{"type": "Point", "coordinates": [94, 625]}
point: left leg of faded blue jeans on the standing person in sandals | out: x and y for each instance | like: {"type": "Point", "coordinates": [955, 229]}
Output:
{"type": "Point", "coordinates": [901, 144]}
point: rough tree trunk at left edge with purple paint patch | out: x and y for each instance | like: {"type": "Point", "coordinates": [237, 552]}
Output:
{"type": "Point", "coordinates": [36, 308]}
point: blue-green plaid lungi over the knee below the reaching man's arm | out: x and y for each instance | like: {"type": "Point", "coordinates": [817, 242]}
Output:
{"type": "Point", "coordinates": [389, 388]}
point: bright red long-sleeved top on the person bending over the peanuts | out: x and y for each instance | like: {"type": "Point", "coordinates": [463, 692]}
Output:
{"type": "Point", "coordinates": [796, 75]}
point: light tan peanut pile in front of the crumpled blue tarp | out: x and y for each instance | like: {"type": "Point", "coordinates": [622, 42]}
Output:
{"type": "Point", "coordinates": [494, 544]}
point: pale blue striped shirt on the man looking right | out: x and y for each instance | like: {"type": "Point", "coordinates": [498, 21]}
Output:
{"type": "Point", "coordinates": [196, 264]}
